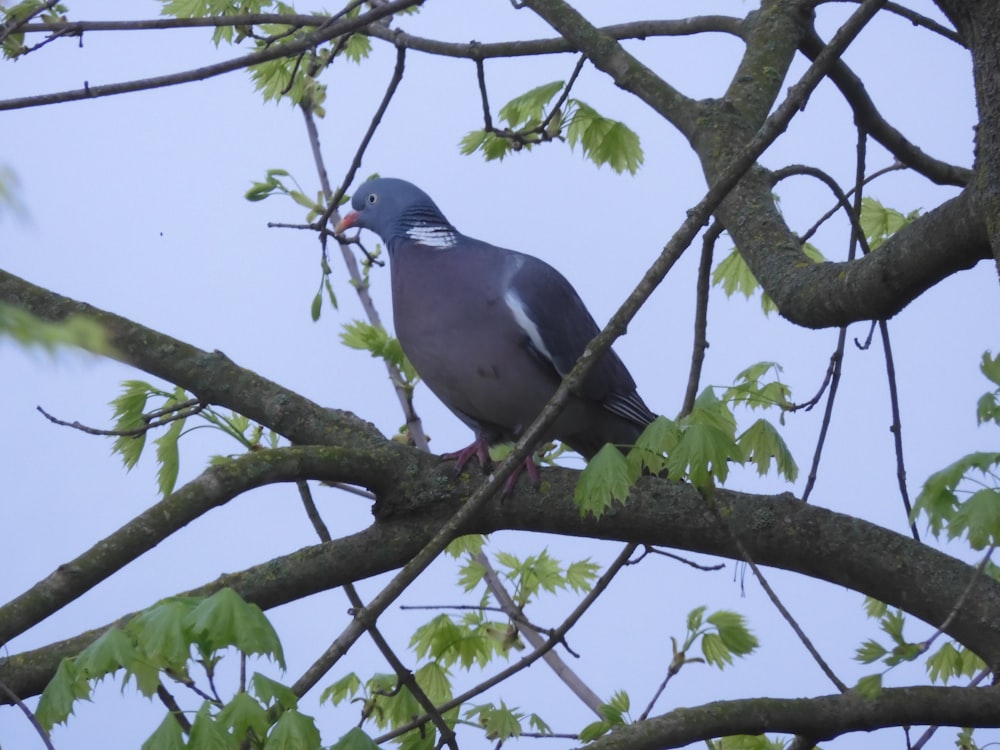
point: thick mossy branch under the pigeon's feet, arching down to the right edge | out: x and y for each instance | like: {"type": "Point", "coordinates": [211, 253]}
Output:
{"type": "Point", "coordinates": [777, 531]}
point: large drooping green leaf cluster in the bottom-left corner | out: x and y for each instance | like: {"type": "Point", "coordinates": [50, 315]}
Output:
{"type": "Point", "coordinates": [179, 638]}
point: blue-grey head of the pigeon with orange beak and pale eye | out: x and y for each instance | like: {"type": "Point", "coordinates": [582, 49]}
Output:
{"type": "Point", "coordinates": [394, 209]}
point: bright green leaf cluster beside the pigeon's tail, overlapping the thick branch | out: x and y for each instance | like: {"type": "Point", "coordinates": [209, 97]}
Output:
{"type": "Point", "coordinates": [698, 447]}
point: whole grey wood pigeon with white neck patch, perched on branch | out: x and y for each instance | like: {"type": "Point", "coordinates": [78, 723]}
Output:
{"type": "Point", "coordinates": [493, 331]}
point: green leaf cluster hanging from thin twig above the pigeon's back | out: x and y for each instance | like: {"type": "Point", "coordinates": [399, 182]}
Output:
{"type": "Point", "coordinates": [532, 118]}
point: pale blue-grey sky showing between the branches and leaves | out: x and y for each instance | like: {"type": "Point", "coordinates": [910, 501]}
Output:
{"type": "Point", "coordinates": [135, 204]}
